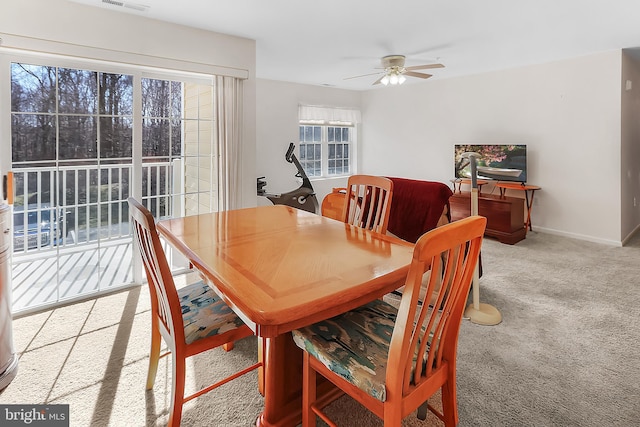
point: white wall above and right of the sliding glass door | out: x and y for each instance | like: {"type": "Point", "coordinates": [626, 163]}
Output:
{"type": "Point", "coordinates": [80, 30]}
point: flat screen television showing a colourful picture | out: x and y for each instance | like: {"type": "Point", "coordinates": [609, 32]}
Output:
{"type": "Point", "coordinates": [497, 162]}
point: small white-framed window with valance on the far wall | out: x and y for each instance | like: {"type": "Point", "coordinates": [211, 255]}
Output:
{"type": "Point", "coordinates": [327, 141]}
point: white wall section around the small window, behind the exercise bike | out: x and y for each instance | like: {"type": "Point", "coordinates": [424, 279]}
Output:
{"type": "Point", "coordinates": [277, 126]}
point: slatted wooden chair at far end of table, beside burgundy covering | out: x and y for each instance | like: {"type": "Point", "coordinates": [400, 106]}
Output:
{"type": "Point", "coordinates": [368, 202]}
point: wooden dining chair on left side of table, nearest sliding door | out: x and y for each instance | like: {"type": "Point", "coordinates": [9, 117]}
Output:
{"type": "Point", "coordinates": [191, 320]}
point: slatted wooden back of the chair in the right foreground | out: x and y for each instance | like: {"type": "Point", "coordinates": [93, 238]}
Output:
{"type": "Point", "coordinates": [429, 332]}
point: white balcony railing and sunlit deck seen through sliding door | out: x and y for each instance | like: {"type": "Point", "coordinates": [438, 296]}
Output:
{"type": "Point", "coordinates": [71, 233]}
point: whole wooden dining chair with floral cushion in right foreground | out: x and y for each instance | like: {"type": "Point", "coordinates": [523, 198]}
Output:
{"type": "Point", "coordinates": [392, 360]}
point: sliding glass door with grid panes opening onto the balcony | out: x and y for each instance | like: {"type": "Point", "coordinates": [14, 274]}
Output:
{"type": "Point", "coordinates": [83, 138]}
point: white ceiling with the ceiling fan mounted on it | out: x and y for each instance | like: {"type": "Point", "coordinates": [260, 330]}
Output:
{"type": "Point", "coordinates": [324, 41]}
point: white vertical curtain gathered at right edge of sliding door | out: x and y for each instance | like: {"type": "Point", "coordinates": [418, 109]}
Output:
{"type": "Point", "coordinates": [228, 108]}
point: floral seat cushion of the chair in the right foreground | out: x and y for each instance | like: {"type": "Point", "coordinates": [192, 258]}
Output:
{"type": "Point", "coordinates": [354, 345]}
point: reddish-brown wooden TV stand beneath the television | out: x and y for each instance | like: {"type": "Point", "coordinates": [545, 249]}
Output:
{"type": "Point", "coordinates": [505, 215]}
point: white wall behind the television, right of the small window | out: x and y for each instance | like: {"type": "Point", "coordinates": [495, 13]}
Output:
{"type": "Point", "coordinates": [567, 112]}
